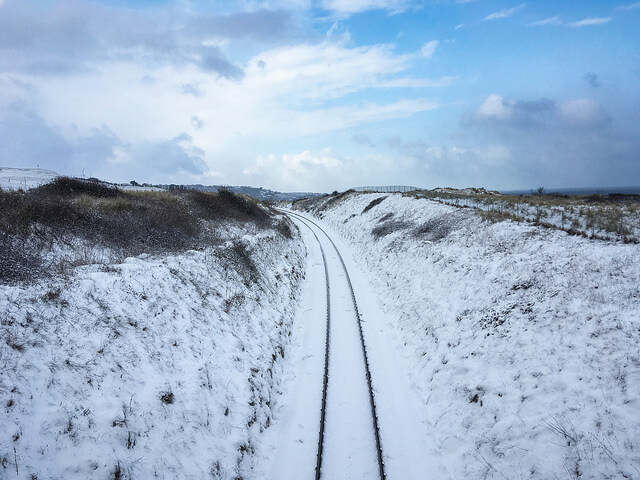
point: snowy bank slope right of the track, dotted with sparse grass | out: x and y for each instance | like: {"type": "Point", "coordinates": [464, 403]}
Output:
{"type": "Point", "coordinates": [524, 342]}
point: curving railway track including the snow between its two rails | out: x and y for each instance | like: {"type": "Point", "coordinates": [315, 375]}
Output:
{"type": "Point", "coordinates": [345, 442]}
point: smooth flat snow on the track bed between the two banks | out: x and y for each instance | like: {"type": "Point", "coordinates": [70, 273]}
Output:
{"type": "Point", "coordinates": [291, 446]}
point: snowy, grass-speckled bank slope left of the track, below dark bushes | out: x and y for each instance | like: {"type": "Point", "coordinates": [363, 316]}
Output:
{"type": "Point", "coordinates": [156, 367]}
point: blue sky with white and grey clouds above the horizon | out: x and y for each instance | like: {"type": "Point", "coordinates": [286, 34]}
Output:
{"type": "Point", "coordinates": [323, 95]}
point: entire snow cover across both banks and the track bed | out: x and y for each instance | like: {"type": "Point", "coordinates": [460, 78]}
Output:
{"type": "Point", "coordinates": [497, 350]}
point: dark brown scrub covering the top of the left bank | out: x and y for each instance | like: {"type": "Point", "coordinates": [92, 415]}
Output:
{"type": "Point", "coordinates": [128, 223]}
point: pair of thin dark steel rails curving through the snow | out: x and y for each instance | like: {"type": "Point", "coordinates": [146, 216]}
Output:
{"type": "Point", "coordinates": [310, 224]}
